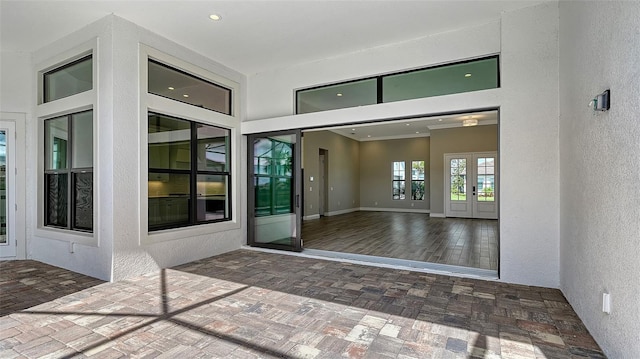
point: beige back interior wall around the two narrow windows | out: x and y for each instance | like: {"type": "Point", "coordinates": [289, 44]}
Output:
{"type": "Point", "coordinates": [376, 158]}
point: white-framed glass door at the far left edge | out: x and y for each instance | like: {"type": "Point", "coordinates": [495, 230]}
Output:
{"type": "Point", "coordinates": [7, 189]}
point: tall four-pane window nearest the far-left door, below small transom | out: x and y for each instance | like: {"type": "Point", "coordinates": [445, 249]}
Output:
{"type": "Point", "coordinates": [69, 171]}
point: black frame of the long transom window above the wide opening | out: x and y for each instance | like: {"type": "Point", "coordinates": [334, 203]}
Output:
{"type": "Point", "coordinates": [380, 78]}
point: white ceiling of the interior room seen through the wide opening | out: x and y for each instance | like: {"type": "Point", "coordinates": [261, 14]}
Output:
{"type": "Point", "coordinates": [418, 127]}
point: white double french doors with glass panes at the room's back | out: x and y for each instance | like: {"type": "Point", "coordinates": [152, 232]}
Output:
{"type": "Point", "coordinates": [471, 185]}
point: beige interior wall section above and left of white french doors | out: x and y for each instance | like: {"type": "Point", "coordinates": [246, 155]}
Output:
{"type": "Point", "coordinates": [455, 140]}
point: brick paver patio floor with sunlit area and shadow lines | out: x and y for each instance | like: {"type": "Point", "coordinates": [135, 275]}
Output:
{"type": "Point", "coordinates": [248, 304]}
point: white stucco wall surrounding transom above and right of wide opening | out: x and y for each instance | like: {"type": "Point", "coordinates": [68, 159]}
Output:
{"type": "Point", "coordinates": [528, 41]}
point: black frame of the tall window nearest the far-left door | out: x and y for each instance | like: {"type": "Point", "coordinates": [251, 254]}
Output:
{"type": "Point", "coordinates": [71, 173]}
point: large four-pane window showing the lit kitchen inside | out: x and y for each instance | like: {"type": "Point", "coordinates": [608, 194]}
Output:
{"type": "Point", "coordinates": [189, 172]}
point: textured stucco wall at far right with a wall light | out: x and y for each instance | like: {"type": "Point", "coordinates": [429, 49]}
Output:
{"type": "Point", "coordinates": [599, 230]}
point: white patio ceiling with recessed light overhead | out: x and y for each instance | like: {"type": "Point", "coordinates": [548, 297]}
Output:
{"type": "Point", "coordinates": [253, 36]}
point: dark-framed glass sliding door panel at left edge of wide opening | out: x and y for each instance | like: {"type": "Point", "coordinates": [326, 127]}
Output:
{"type": "Point", "coordinates": [274, 190]}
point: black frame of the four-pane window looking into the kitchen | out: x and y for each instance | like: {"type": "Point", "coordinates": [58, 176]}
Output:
{"type": "Point", "coordinates": [193, 173]}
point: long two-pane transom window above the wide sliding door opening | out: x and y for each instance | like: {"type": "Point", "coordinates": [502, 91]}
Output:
{"type": "Point", "coordinates": [458, 77]}
